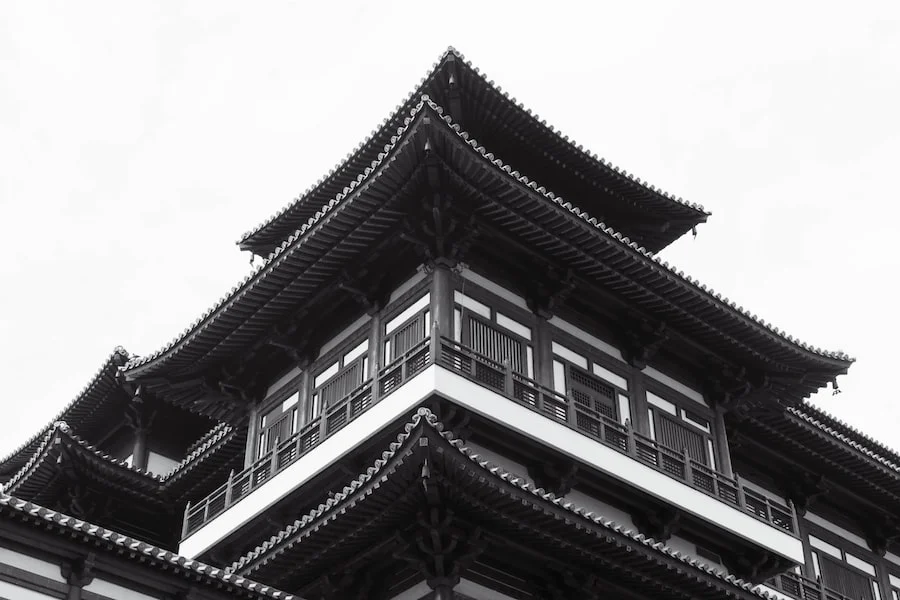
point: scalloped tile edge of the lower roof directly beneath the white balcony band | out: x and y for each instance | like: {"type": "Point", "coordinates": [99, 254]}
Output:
{"type": "Point", "coordinates": [425, 416]}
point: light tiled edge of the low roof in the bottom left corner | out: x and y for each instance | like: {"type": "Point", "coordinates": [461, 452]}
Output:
{"type": "Point", "coordinates": [141, 548]}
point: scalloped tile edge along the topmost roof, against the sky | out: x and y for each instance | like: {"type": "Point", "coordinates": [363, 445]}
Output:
{"type": "Point", "coordinates": [351, 155]}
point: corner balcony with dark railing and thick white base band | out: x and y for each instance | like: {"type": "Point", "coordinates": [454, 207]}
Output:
{"type": "Point", "coordinates": [459, 366]}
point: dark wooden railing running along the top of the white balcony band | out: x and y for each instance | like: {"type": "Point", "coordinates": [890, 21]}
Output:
{"type": "Point", "coordinates": [502, 379]}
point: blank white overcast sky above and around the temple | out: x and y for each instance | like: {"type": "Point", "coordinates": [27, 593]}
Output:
{"type": "Point", "coordinates": [138, 141]}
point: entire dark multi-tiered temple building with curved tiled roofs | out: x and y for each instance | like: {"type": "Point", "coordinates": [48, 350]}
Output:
{"type": "Point", "coordinates": [460, 371]}
